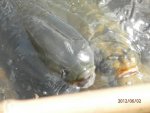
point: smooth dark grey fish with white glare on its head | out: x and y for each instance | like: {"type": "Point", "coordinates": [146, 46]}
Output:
{"type": "Point", "coordinates": [59, 44]}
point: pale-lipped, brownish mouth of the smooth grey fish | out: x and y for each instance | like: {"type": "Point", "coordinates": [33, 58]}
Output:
{"type": "Point", "coordinates": [88, 80]}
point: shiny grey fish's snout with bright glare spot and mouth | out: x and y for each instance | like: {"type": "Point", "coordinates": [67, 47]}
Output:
{"type": "Point", "coordinates": [82, 73]}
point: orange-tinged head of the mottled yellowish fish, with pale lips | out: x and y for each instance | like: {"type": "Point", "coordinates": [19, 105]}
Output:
{"type": "Point", "coordinates": [127, 69]}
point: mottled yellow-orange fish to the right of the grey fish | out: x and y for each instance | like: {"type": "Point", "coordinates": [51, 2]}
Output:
{"type": "Point", "coordinates": [114, 54]}
